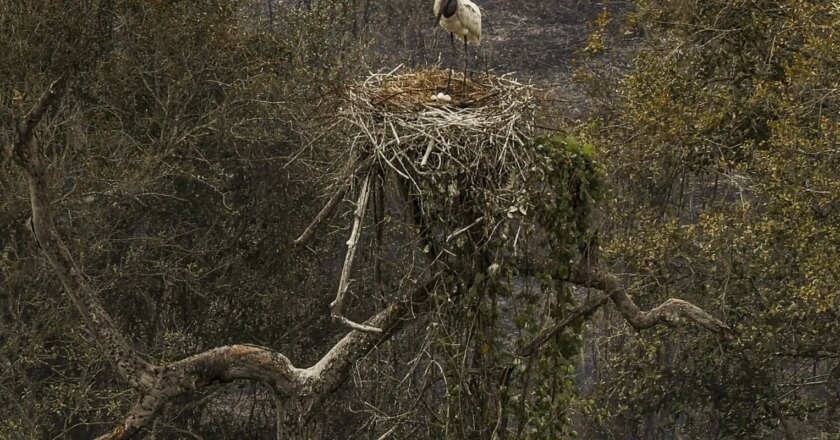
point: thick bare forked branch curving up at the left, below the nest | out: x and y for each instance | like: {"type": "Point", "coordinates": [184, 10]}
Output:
{"type": "Point", "coordinates": [157, 385]}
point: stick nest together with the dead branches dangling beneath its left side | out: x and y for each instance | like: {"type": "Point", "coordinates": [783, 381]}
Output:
{"type": "Point", "coordinates": [463, 161]}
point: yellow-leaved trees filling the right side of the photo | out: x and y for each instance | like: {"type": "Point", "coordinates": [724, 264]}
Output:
{"type": "Point", "coordinates": [721, 141]}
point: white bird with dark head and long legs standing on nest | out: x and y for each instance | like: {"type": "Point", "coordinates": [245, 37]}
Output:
{"type": "Point", "coordinates": [460, 18]}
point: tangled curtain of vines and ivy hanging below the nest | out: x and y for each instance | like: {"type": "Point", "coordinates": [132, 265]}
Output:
{"type": "Point", "coordinates": [489, 305]}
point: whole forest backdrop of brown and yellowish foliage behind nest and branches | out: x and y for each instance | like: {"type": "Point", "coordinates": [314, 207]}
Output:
{"type": "Point", "coordinates": [194, 142]}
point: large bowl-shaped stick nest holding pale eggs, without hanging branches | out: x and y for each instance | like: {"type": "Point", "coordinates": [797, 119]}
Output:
{"type": "Point", "coordinates": [474, 144]}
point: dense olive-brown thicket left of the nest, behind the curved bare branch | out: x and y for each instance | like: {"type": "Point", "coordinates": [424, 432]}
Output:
{"type": "Point", "coordinates": [170, 177]}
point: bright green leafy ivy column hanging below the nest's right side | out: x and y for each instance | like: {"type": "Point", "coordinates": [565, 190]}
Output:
{"type": "Point", "coordinates": [573, 187]}
